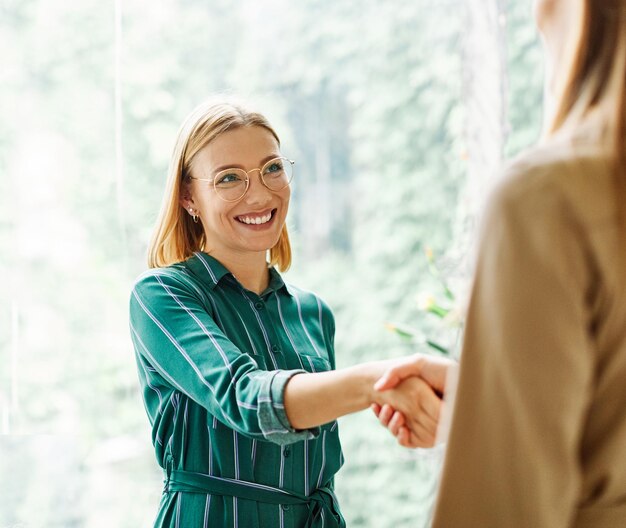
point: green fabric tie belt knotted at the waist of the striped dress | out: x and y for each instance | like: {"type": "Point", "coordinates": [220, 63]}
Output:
{"type": "Point", "coordinates": [320, 500]}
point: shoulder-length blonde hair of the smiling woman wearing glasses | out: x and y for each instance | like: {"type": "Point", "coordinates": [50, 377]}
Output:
{"type": "Point", "coordinates": [176, 236]}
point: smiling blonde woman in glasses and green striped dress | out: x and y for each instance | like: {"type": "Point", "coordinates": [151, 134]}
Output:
{"type": "Point", "coordinates": [236, 366]}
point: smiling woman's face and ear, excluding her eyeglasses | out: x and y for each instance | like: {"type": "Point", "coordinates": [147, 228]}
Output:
{"type": "Point", "coordinates": [231, 227]}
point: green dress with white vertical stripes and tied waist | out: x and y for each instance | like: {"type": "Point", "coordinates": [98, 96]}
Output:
{"type": "Point", "coordinates": [213, 360]}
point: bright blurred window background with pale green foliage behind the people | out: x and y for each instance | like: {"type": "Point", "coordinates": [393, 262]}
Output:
{"type": "Point", "coordinates": [398, 114]}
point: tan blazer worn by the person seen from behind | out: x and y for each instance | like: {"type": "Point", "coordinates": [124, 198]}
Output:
{"type": "Point", "coordinates": [538, 436]}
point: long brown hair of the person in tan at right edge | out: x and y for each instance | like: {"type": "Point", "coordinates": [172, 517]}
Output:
{"type": "Point", "coordinates": [595, 82]}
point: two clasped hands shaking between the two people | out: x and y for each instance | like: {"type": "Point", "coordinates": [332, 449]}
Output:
{"type": "Point", "coordinates": [408, 398]}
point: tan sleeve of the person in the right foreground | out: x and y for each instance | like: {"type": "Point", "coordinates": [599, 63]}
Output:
{"type": "Point", "coordinates": [526, 369]}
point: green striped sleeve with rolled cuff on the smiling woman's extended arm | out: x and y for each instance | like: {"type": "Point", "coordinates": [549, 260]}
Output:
{"type": "Point", "coordinates": [173, 333]}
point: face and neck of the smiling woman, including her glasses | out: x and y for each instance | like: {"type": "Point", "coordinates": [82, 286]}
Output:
{"type": "Point", "coordinates": [242, 216]}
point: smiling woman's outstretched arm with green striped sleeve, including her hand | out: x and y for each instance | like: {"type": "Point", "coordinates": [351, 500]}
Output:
{"type": "Point", "coordinates": [173, 332]}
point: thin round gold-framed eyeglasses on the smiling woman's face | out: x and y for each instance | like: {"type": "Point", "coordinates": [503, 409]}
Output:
{"type": "Point", "coordinates": [232, 184]}
